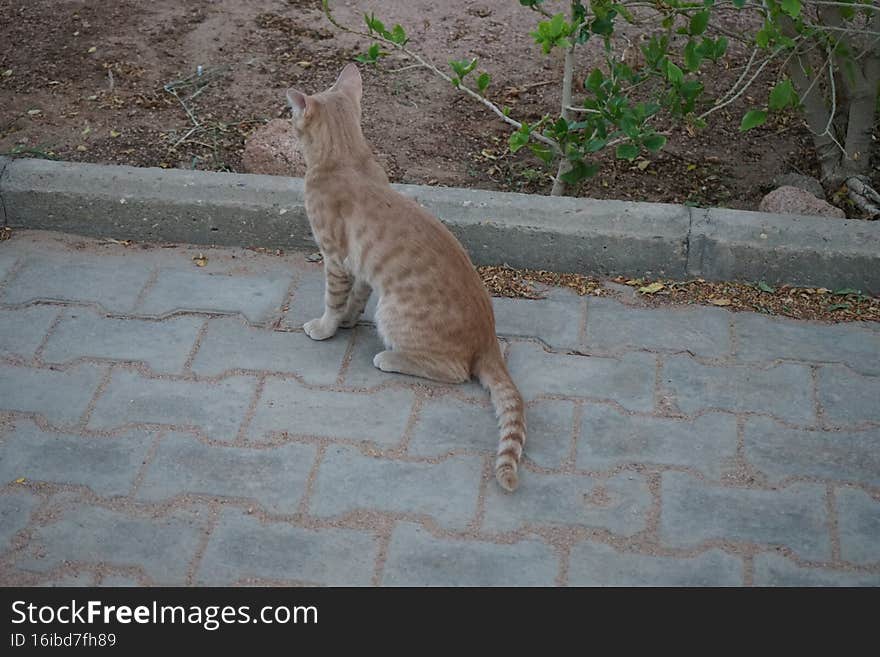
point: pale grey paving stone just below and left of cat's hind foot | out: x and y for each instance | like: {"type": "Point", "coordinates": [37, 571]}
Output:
{"type": "Point", "coordinates": [287, 406]}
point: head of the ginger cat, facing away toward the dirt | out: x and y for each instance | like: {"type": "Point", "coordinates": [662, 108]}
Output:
{"type": "Point", "coordinates": [337, 108]}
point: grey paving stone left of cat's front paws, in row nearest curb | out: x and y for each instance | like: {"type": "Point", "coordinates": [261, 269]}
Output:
{"type": "Point", "coordinates": [258, 298]}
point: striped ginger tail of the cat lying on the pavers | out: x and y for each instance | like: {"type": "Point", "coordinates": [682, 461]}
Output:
{"type": "Point", "coordinates": [510, 410]}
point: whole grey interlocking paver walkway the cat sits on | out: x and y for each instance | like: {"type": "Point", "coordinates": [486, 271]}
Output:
{"type": "Point", "coordinates": [185, 430]}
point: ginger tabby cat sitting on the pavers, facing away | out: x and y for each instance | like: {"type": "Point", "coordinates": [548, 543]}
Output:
{"type": "Point", "coordinates": [434, 315]}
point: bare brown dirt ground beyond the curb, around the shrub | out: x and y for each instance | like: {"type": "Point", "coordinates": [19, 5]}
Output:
{"type": "Point", "coordinates": [84, 80]}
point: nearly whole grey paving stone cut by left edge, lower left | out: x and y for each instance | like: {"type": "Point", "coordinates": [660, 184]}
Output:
{"type": "Point", "coordinates": [108, 466]}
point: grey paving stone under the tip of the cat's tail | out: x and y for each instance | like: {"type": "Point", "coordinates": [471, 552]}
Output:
{"type": "Point", "coordinates": [618, 504]}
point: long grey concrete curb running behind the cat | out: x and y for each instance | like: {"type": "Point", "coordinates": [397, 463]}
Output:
{"type": "Point", "coordinates": [540, 232]}
